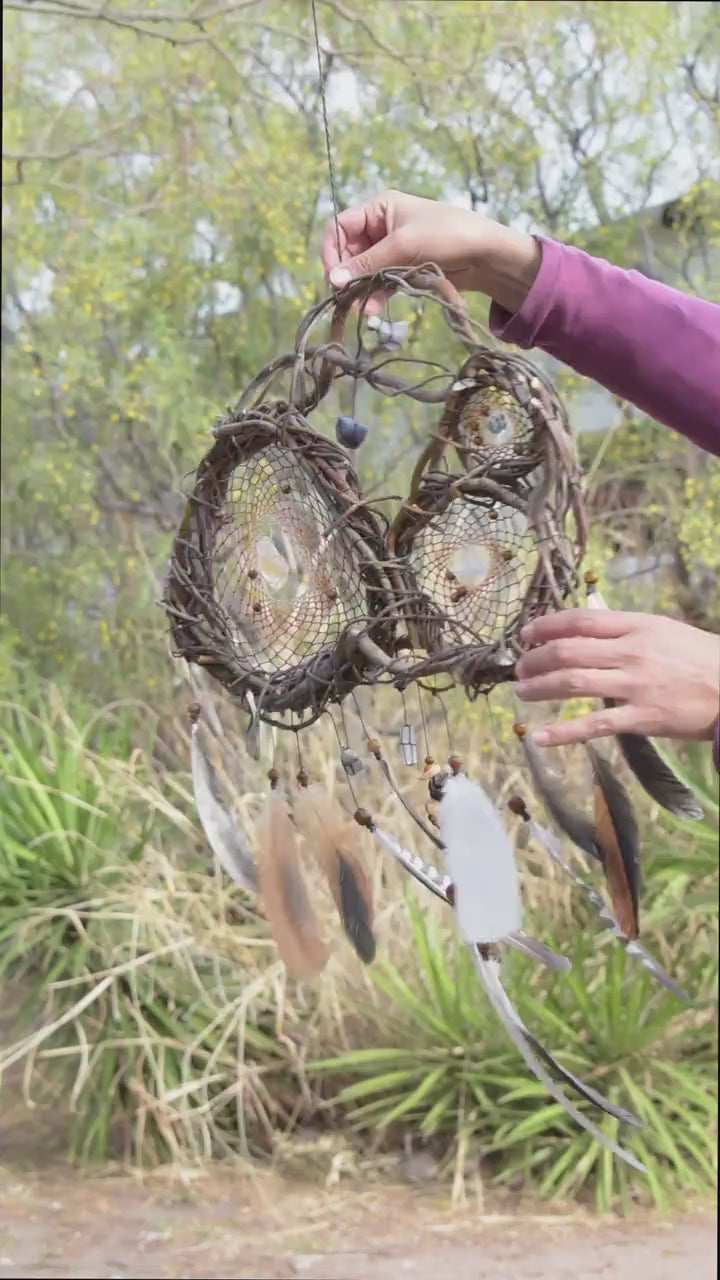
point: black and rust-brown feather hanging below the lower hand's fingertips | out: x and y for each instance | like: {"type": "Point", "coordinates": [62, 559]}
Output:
{"type": "Point", "coordinates": [618, 840]}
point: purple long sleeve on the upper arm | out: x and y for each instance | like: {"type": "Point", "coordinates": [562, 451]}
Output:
{"type": "Point", "coordinates": [644, 341]}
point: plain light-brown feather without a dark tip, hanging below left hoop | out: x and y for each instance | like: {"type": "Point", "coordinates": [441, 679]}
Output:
{"type": "Point", "coordinates": [289, 912]}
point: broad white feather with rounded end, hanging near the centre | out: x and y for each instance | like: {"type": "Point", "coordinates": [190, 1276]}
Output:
{"type": "Point", "coordinates": [481, 863]}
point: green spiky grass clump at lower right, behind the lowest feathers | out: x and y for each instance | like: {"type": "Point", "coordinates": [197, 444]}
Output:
{"type": "Point", "coordinates": [444, 1068]}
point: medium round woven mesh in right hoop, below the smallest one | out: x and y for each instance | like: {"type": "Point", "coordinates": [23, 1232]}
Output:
{"type": "Point", "coordinates": [476, 566]}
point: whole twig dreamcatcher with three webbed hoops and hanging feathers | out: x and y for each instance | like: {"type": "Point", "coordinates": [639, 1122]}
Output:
{"type": "Point", "coordinates": [297, 593]}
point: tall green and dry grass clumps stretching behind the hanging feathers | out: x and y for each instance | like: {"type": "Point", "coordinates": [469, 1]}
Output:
{"type": "Point", "coordinates": [158, 1014]}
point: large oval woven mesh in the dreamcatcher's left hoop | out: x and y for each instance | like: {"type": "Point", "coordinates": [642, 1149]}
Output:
{"type": "Point", "coordinates": [286, 575]}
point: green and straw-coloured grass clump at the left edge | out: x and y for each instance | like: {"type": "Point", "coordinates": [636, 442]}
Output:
{"type": "Point", "coordinates": [144, 1020]}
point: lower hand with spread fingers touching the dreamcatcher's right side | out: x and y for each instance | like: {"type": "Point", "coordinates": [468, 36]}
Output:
{"type": "Point", "coordinates": [663, 675]}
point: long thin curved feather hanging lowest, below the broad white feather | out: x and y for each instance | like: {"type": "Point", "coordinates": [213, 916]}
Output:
{"type": "Point", "coordinates": [489, 973]}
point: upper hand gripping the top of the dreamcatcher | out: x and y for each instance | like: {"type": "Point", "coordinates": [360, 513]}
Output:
{"type": "Point", "coordinates": [395, 230]}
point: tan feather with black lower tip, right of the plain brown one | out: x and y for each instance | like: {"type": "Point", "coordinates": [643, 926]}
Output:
{"type": "Point", "coordinates": [331, 838]}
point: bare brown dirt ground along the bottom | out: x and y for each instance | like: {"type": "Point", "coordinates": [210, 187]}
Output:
{"type": "Point", "coordinates": [234, 1226]}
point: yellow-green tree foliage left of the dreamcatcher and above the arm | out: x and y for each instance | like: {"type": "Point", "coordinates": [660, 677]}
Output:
{"type": "Point", "coordinates": [165, 189]}
